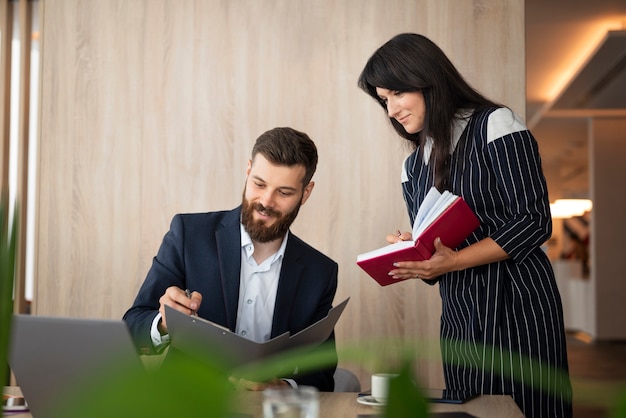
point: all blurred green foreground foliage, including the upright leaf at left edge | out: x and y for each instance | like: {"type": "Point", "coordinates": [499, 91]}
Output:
{"type": "Point", "coordinates": [185, 386]}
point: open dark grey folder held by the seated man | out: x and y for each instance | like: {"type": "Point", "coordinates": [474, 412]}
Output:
{"type": "Point", "coordinates": [197, 336]}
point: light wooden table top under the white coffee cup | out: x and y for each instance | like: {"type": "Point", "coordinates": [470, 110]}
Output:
{"type": "Point", "coordinates": [344, 405]}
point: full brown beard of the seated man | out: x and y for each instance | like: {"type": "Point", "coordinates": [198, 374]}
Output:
{"type": "Point", "coordinates": [257, 229]}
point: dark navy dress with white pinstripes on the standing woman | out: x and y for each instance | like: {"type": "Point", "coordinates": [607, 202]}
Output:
{"type": "Point", "coordinates": [502, 323]}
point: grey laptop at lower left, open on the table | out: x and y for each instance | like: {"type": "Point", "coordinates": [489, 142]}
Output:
{"type": "Point", "coordinates": [55, 358]}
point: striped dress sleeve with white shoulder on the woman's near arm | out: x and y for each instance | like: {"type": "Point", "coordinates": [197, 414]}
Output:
{"type": "Point", "coordinates": [515, 159]}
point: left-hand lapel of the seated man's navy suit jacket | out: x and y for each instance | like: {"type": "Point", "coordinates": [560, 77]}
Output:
{"type": "Point", "coordinates": [229, 256]}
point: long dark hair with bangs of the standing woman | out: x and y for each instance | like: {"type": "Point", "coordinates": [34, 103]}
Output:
{"type": "Point", "coordinates": [410, 62]}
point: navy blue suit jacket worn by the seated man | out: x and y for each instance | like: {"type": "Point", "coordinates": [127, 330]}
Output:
{"type": "Point", "coordinates": [202, 252]}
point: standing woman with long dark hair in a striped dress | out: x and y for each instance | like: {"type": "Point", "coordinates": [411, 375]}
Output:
{"type": "Point", "coordinates": [480, 150]}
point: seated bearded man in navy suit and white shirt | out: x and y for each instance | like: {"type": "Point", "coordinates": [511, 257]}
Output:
{"type": "Point", "coordinates": [243, 269]}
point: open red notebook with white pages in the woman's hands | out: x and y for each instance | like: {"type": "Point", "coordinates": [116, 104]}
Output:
{"type": "Point", "coordinates": [452, 221]}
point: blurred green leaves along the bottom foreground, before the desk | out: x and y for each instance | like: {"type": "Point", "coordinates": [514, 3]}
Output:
{"type": "Point", "coordinates": [185, 386]}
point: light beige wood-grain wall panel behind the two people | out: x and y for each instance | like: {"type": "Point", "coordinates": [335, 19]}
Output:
{"type": "Point", "coordinates": [150, 107]}
